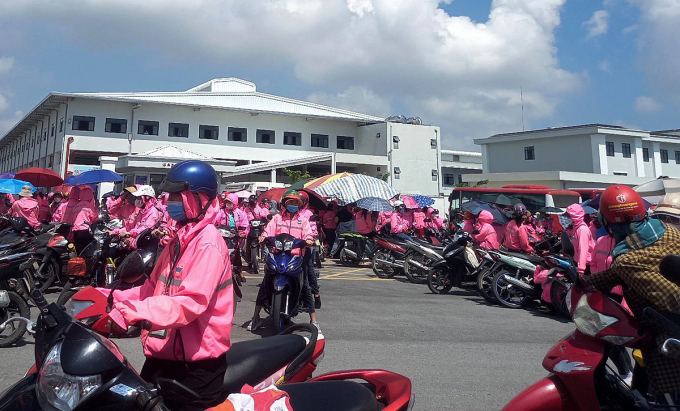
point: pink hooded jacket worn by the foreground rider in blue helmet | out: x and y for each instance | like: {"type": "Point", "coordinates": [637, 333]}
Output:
{"type": "Point", "coordinates": [189, 302]}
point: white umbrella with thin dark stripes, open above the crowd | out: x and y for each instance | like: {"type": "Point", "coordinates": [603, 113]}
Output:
{"type": "Point", "coordinates": [354, 187]}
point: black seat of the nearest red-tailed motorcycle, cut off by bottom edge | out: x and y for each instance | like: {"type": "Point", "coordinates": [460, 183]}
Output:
{"type": "Point", "coordinates": [330, 396]}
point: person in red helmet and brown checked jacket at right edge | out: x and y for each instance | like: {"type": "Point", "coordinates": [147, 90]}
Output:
{"type": "Point", "coordinates": [641, 243]}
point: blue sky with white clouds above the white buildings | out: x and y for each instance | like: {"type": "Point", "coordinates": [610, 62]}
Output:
{"type": "Point", "coordinates": [473, 67]}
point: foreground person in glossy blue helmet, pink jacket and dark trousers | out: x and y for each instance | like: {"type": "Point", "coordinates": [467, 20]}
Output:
{"type": "Point", "coordinates": [186, 306]}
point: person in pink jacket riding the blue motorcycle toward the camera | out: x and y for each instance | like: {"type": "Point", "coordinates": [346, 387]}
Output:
{"type": "Point", "coordinates": [288, 221]}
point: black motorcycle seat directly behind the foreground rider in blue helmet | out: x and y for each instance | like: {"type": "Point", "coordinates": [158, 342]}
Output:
{"type": "Point", "coordinates": [250, 362]}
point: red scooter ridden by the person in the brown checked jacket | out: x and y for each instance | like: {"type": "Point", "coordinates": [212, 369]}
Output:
{"type": "Point", "coordinates": [581, 379]}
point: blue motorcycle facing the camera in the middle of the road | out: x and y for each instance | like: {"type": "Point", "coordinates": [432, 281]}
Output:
{"type": "Point", "coordinates": [283, 279]}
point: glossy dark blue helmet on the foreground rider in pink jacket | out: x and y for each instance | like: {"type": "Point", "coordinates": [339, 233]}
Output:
{"type": "Point", "coordinates": [193, 175]}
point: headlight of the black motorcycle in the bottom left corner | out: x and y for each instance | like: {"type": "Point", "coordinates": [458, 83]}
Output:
{"type": "Point", "coordinates": [58, 390]}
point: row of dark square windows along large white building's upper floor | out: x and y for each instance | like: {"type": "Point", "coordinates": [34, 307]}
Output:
{"type": "Point", "coordinates": [207, 132]}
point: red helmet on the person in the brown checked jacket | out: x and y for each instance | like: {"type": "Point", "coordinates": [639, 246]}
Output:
{"type": "Point", "coordinates": [621, 204]}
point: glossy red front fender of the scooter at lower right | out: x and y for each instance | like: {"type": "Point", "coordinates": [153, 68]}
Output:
{"type": "Point", "coordinates": [548, 394]}
